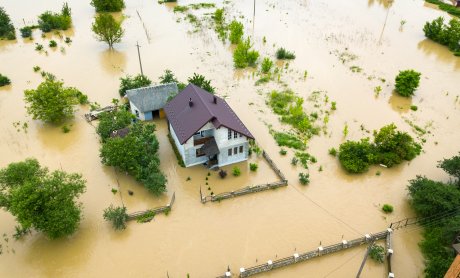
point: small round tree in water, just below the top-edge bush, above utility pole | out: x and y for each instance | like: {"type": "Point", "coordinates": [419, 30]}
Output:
{"type": "Point", "coordinates": [107, 29]}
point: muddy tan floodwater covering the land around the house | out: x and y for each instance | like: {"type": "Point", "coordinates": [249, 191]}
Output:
{"type": "Point", "coordinates": [203, 240]}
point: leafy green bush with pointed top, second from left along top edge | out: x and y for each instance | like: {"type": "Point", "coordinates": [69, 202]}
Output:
{"type": "Point", "coordinates": [48, 21]}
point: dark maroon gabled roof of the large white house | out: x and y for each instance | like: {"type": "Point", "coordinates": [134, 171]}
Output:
{"type": "Point", "coordinates": [194, 107]}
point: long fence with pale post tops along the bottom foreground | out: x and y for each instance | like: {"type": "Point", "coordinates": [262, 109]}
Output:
{"type": "Point", "coordinates": [320, 251]}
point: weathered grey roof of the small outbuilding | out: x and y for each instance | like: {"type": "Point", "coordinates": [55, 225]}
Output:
{"type": "Point", "coordinates": [153, 97]}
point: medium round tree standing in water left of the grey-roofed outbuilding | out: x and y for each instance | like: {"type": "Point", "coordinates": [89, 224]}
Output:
{"type": "Point", "coordinates": [51, 101]}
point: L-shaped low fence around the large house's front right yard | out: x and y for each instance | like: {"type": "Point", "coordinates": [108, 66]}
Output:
{"type": "Point", "coordinates": [249, 189]}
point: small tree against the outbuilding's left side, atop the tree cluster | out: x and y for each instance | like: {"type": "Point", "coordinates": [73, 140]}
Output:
{"type": "Point", "coordinates": [111, 121]}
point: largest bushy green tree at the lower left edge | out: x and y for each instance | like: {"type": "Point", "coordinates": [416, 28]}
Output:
{"type": "Point", "coordinates": [41, 200]}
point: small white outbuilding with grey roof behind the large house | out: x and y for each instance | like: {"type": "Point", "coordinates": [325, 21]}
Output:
{"type": "Point", "coordinates": [148, 102]}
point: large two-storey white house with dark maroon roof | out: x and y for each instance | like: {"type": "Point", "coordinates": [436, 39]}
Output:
{"type": "Point", "coordinates": [205, 129]}
